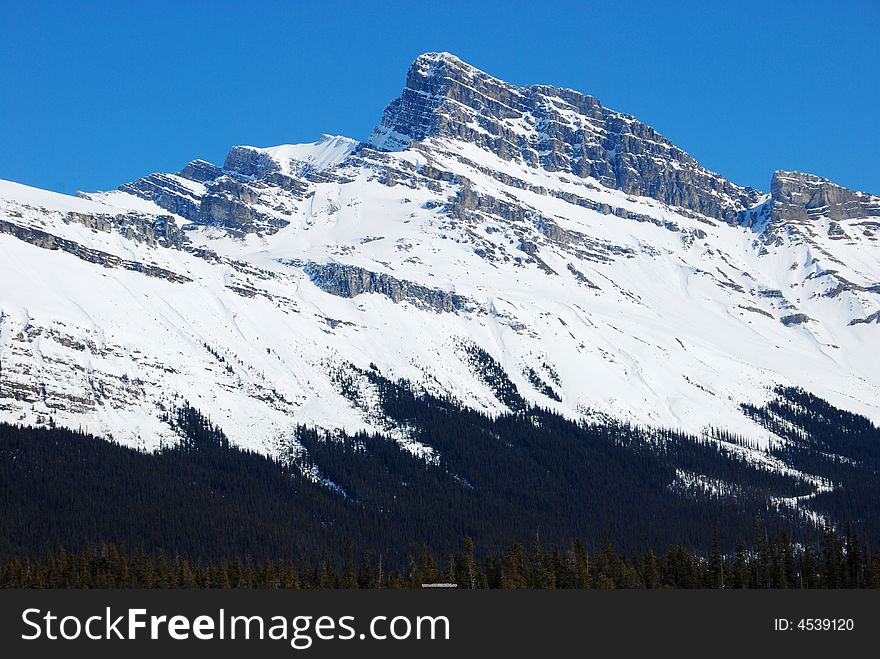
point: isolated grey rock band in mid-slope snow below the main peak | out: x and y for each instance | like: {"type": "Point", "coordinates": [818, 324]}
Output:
{"type": "Point", "coordinates": [350, 281]}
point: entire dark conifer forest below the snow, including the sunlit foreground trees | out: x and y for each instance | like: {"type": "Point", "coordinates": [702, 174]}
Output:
{"type": "Point", "coordinates": [524, 500]}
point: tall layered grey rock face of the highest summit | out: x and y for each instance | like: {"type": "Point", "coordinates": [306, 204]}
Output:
{"type": "Point", "coordinates": [557, 129]}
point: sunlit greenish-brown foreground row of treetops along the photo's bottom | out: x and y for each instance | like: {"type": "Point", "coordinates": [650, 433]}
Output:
{"type": "Point", "coordinates": [834, 561]}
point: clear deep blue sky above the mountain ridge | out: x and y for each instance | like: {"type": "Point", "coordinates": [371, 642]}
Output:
{"type": "Point", "coordinates": [93, 94]}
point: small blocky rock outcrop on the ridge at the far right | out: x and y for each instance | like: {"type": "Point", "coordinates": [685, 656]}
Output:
{"type": "Point", "coordinates": [801, 197]}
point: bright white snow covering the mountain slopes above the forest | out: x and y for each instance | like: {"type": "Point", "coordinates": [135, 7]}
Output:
{"type": "Point", "coordinates": [675, 330]}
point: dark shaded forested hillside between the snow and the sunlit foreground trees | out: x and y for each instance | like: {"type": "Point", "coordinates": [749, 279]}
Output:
{"type": "Point", "coordinates": [531, 474]}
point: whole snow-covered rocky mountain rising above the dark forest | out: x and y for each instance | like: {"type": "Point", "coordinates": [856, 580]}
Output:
{"type": "Point", "coordinates": [606, 271]}
